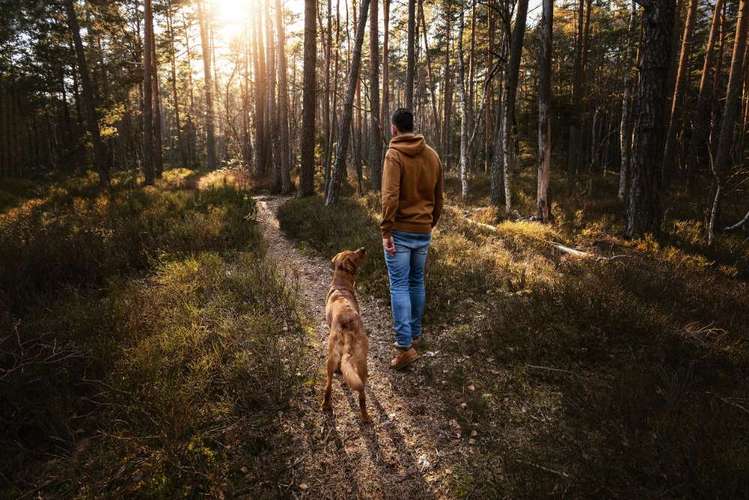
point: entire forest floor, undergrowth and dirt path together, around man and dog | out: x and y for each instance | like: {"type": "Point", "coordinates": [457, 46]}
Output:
{"type": "Point", "coordinates": [185, 327]}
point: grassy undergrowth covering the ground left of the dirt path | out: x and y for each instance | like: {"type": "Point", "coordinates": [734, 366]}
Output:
{"type": "Point", "coordinates": [147, 348]}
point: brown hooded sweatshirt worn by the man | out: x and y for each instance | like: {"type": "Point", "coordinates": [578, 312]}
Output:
{"type": "Point", "coordinates": [412, 186]}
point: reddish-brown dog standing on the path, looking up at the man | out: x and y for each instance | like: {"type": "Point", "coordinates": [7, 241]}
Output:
{"type": "Point", "coordinates": [347, 341]}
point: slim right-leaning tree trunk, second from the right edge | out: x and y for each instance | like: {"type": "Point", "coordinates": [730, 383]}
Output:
{"type": "Point", "coordinates": [701, 114]}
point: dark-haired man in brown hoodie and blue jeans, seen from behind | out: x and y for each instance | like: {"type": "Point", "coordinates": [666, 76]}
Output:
{"type": "Point", "coordinates": [412, 187]}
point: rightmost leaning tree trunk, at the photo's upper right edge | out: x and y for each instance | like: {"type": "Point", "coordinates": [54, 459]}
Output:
{"type": "Point", "coordinates": [730, 114]}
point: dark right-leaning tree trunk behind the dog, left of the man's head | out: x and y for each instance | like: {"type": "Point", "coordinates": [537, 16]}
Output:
{"type": "Point", "coordinates": [339, 169]}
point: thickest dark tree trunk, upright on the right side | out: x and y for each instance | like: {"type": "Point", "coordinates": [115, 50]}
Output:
{"type": "Point", "coordinates": [644, 208]}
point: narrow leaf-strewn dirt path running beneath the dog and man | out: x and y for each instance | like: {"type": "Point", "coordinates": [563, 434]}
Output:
{"type": "Point", "coordinates": [410, 449]}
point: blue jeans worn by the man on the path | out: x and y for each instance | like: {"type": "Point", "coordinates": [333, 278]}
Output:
{"type": "Point", "coordinates": [407, 291]}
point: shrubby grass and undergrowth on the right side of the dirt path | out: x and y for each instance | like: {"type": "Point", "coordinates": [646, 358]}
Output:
{"type": "Point", "coordinates": [578, 378]}
